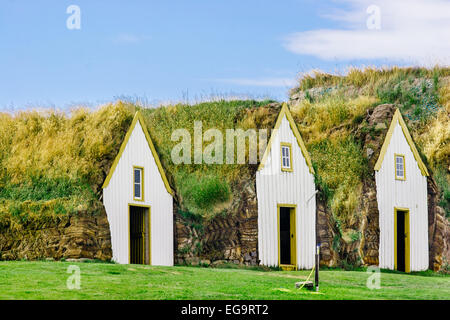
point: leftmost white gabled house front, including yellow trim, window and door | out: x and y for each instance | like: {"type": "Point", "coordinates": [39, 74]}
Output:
{"type": "Point", "coordinates": [138, 202]}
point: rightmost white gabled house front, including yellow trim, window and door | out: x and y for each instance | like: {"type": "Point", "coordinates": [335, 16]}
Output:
{"type": "Point", "coordinates": [401, 178]}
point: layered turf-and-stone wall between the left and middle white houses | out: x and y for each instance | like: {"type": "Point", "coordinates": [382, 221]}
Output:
{"type": "Point", "coordinates": [231, 237]}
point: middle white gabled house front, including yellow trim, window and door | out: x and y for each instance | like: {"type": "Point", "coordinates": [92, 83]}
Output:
{"type": "Point", "coordinates": [286, 199]}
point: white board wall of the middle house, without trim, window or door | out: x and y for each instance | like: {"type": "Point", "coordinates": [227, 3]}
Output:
{"type": "Point", "coordinates": [276, 187]}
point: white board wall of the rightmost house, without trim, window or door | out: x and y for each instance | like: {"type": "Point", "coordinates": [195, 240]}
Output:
{"type": "Point", "coordinates": [410, 194]}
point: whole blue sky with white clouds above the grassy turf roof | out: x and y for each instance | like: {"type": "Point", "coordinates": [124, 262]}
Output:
{"type": "Point", "coordinates": [173, 50]}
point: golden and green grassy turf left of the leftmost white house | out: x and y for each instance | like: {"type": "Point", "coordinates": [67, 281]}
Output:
{"type": "Point", "coordinates": [52, 163]}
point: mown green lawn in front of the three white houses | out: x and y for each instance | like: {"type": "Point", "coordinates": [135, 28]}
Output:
{"type": "Point", "coordinates": [47, 280]}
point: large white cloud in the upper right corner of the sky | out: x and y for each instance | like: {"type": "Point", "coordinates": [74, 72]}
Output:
{"type": "Point", "coordinates": [415, 31]}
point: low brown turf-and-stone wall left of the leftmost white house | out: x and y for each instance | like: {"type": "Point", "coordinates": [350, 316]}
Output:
{"type": "Point", "coordinates": [76, 236]}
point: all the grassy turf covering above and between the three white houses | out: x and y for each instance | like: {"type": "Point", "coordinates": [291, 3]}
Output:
{"type": "Point", "coordinates": [53, 163]}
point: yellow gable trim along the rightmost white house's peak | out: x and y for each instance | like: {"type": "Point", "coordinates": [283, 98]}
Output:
{"type": "Point", "coordinates": [398, 118]}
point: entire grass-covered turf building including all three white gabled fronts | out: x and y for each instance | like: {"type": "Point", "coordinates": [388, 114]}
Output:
{"type": "Point", "coordinates": [101, 184]}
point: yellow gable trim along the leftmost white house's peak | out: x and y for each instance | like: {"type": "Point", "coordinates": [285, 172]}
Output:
{"type": "Point", "coordinates": [138, 117]}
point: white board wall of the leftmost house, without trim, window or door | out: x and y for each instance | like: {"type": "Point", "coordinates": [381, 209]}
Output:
{"type": "Point", "coordinates": [119, 194]}
